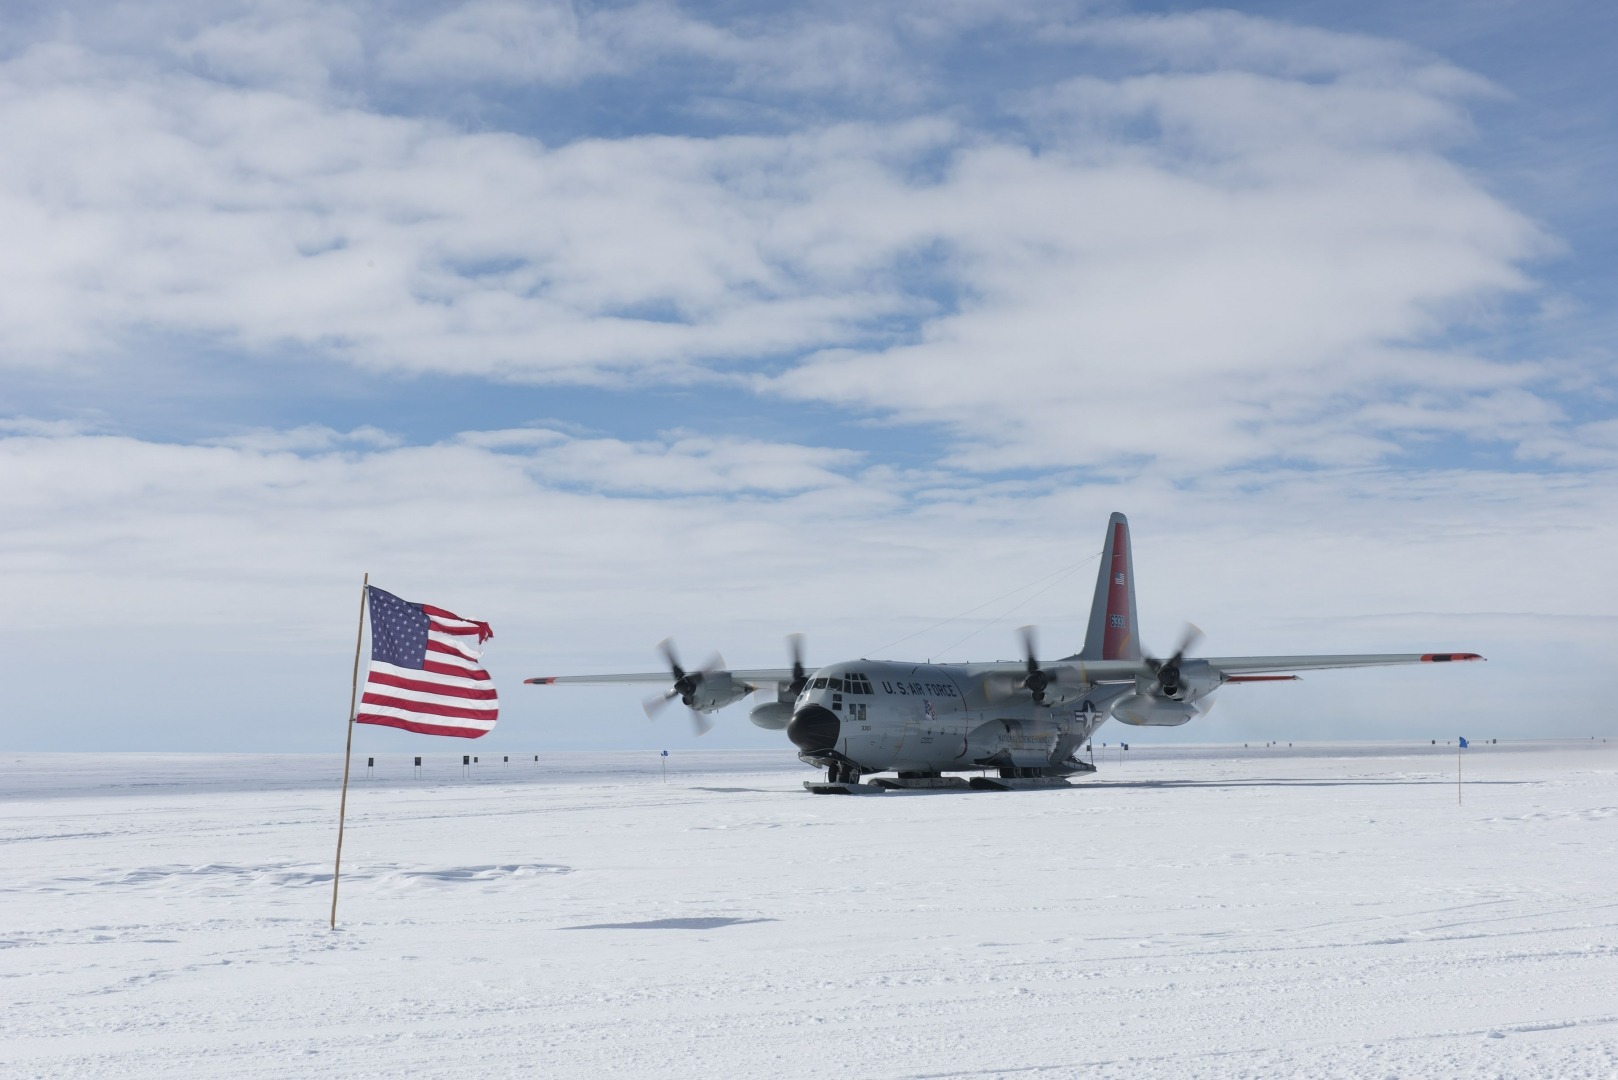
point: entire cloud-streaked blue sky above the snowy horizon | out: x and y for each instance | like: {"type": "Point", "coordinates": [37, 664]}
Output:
{"type": "Point", "coordinates": [616, 321]}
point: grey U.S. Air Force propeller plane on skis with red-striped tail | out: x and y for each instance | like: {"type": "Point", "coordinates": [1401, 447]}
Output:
{"type": "Point", "coordinates": [1015, 725]}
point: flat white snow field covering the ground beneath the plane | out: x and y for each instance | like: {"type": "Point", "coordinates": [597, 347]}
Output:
{"type": "Point", "coordinates": [1188, 912]}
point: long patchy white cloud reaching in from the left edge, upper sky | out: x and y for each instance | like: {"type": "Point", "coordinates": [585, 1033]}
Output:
{"type": "Point", "coordinates": [263, 219]}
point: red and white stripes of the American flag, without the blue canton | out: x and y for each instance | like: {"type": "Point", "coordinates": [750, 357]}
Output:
{"type": "Point", "coordinates": [452, 695]}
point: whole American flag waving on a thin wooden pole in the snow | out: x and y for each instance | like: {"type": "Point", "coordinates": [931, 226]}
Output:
{"type": "Point", "coordinates": [425, 674]}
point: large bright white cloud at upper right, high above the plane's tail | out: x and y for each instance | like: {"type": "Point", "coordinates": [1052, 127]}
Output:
{"type": "Point", "coordinates": [1200, 297]}
